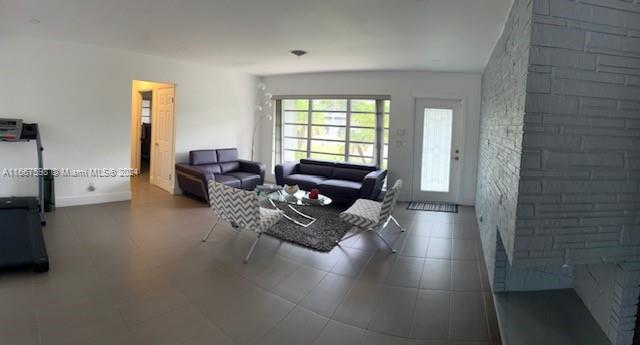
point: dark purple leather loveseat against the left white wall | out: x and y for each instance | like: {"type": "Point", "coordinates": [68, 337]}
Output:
{"type": "Point", "coordinates": [221, 165]}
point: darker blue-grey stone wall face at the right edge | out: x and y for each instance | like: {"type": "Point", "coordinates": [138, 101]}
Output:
{"type": "Point", "coordinates": [579, 198]}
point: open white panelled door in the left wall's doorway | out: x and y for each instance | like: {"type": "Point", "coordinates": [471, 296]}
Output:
{"type": "Point", "coordinates": [161, 169]}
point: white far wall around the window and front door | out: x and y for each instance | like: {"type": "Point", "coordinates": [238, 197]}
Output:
{"type": "Point", "coordinates": [404, 88]}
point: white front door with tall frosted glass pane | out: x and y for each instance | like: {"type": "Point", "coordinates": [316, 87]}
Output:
{"type": "Point", "coordinates": [437, 157]}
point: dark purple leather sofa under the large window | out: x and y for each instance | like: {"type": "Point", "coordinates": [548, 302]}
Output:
{"type": "Point", "coordinates": [342, 182]}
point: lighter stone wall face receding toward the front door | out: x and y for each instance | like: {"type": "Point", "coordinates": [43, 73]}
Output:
{"type": "Point", "coordinates": [504, 85]}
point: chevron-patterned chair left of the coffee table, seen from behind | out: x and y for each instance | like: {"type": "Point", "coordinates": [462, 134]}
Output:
{"type": "Point", "coordinates": [242, 210]}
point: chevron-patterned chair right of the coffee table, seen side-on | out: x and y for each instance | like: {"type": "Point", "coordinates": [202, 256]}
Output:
{"type": "Point", "coordinates": [369, 215]}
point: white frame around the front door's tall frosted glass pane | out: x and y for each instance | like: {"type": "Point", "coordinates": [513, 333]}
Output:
{"type": "Point", "coordinates": [417, 142]}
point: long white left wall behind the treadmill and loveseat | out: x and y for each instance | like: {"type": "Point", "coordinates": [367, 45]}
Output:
{"type": "Point", "coordinates": [81, 96]}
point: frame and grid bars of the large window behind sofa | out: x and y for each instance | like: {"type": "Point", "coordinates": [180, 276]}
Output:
{"type": "Point", "coordinates": [378, 156]}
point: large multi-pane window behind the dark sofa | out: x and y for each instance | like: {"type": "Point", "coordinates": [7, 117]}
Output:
{"type": "Point", "coordinates": [344, 130]}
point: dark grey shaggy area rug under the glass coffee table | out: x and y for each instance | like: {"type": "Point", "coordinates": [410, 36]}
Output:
{"type": "Point", "coordinates": [321, 235]}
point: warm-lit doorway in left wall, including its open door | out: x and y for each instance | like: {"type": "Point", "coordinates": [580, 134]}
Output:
{"type": "Point", "coordinates": [152, 132]}
